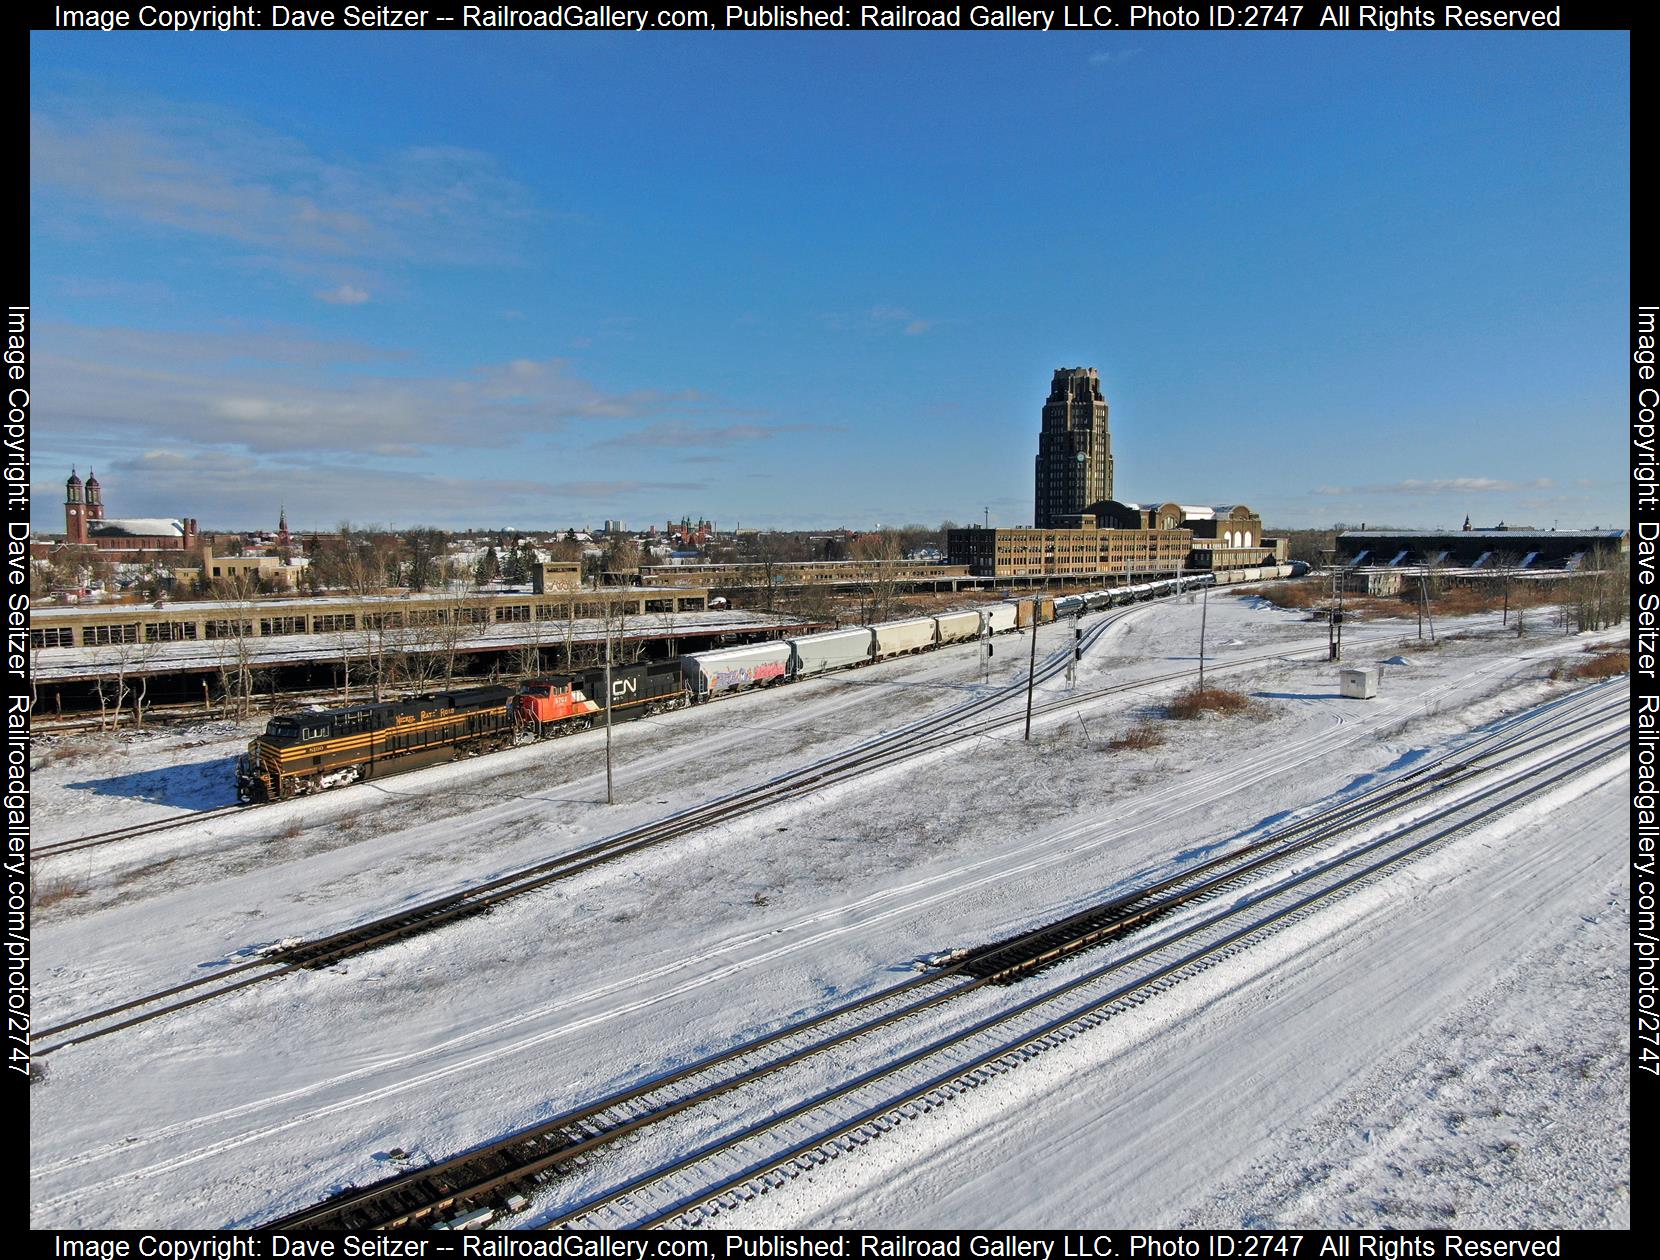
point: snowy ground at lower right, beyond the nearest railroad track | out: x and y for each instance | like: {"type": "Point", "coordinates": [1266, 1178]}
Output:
{"type": "Point", "coordinates": [1442, 1052]}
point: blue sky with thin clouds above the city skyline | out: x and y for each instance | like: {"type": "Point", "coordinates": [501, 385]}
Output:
{"type": "Point", "coordinates": [824, 280]}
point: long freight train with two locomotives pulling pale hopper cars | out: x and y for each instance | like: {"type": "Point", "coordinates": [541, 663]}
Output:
{"type": "Point", "coordinates": [315, 751]}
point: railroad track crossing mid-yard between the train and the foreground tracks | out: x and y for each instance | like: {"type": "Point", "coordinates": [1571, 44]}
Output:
{"type": "Point", "coordinates": [881, 753]}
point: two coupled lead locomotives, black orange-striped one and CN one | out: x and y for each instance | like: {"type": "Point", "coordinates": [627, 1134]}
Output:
{"type": "Point", "coordinates": [308, 753]}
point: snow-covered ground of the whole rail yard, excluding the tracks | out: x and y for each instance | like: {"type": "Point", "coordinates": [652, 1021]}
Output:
{"type": "Point", "coordinates": [268, 1100]}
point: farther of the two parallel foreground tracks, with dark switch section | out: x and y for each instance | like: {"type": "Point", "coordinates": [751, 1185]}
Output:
{"type": "Point", "coordinates": [517, 1165]}
